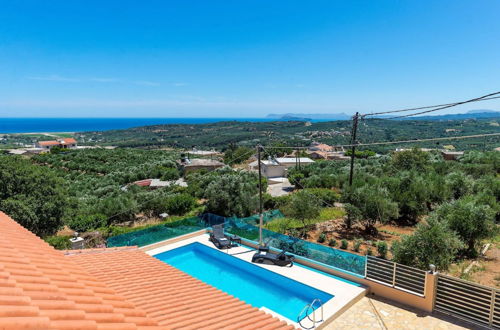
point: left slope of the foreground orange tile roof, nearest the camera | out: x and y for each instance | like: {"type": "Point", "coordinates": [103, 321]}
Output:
{"type": "Point", "coordinates": [40, 288]}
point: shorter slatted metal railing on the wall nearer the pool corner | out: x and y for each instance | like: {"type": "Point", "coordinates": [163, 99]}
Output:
{"type": "Point", "coordinates": [396, 275]}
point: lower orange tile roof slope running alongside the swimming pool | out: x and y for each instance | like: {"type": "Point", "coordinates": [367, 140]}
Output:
{"type": "Point", "coordinates": [169, 296]}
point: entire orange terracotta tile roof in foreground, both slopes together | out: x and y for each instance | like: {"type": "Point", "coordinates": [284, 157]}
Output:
{"type": "Point", "coordinates": [117, 288]}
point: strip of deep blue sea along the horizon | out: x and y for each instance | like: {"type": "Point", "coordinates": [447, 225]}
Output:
{"type": "Point", "coordinates": [32, 125]}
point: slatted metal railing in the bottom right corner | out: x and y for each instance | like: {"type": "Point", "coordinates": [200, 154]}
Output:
{"type": "Point", "coordinates": [469, 301]}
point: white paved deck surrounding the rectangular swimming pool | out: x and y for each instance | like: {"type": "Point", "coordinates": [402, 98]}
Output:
{"type": "Point", "coordinates": [345, 294]}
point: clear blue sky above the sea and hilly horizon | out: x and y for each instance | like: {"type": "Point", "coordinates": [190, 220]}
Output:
{"type": "Point", "coordinates": [244, 58]}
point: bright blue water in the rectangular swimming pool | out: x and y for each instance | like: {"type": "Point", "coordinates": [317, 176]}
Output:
{"type": "Point", "coordinates": [255, 285]}
